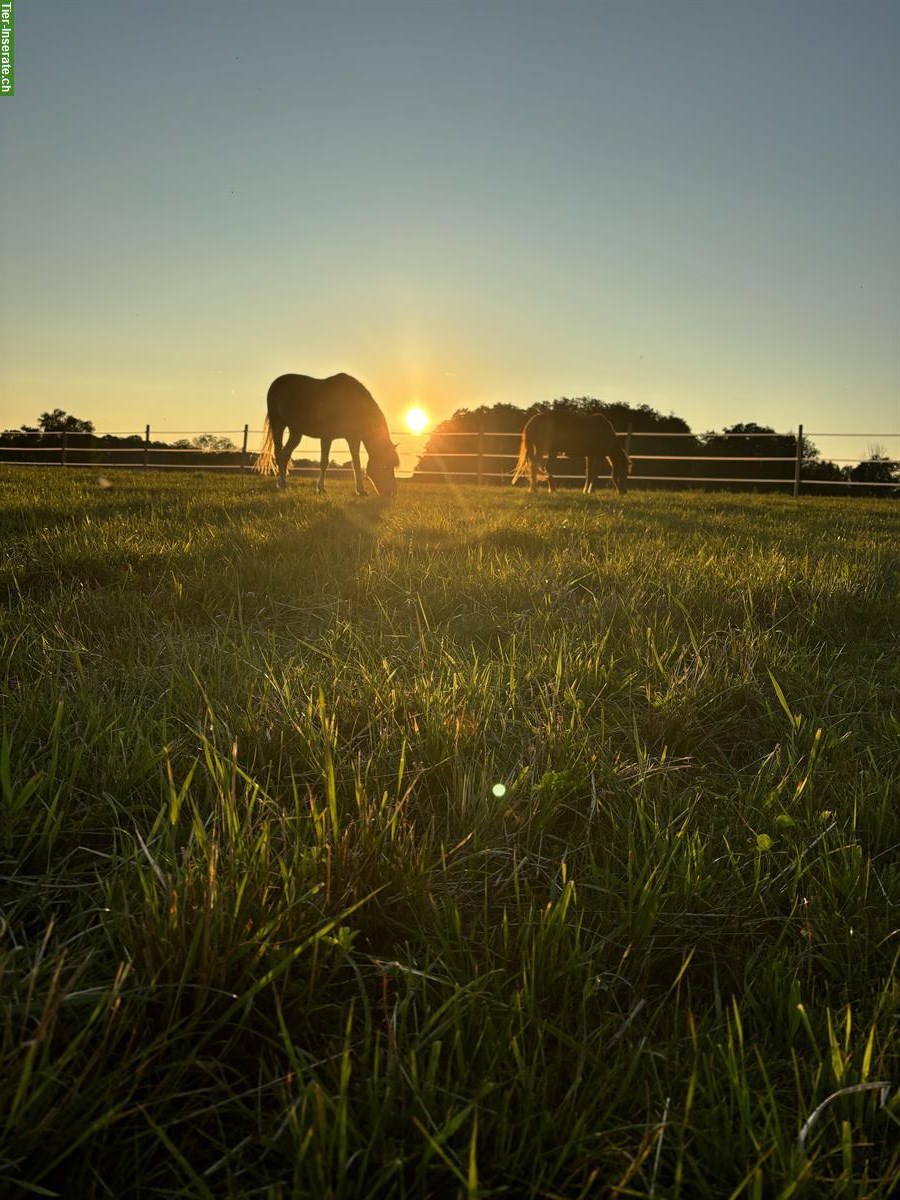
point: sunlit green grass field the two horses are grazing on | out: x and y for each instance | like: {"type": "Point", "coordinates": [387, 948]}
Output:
{"type": "Point", "coordinates": [477, 845]}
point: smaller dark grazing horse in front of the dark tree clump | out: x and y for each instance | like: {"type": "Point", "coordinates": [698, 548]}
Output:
{"type": "Point", "coordinates": [563, 431]}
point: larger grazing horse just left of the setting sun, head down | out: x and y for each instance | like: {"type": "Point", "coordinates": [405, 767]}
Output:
{"type": "Point", "coordinates": [338, 407]}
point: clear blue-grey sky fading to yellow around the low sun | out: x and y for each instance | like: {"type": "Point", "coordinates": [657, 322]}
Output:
{"type": "Point", "coordinates": [689, 205]}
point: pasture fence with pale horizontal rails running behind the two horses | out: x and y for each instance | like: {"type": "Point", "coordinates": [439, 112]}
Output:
{"type": "Point", "coordinates": [82, 449]}
